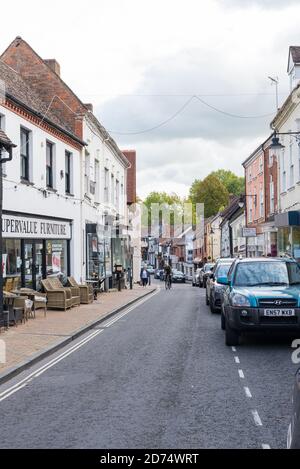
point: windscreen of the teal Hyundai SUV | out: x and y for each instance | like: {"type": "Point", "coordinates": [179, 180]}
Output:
{"type": "Point", "coordinates": [263, 273]}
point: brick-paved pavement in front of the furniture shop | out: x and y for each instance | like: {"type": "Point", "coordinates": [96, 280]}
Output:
{"type": "Point", "coordinates": [29, 342]}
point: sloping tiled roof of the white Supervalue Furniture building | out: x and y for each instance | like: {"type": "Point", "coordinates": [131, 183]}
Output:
{"type": "Point", "coordinates": [19, 89]}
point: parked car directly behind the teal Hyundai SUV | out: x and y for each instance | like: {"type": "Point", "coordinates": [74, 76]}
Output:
{"type": "Point", "coordinates": [215, 286]}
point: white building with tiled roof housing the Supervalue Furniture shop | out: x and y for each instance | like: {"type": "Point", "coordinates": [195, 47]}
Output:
{"type": "Point", "coordinates": [41, 203]}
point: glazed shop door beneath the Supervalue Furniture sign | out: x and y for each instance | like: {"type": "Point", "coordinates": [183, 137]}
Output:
{"type": "Point", "coordinates": [34, 259]}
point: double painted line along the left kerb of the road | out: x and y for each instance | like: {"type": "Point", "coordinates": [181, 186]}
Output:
{"type": "Point", "coordinates": [25, 381]}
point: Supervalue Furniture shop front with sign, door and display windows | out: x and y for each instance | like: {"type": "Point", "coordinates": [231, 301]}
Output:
{"type": "Point", "coordinates": [34, 248]}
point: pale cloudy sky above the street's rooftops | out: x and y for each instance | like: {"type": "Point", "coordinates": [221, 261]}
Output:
{"type": "Point", "coordinates": [154, 71]}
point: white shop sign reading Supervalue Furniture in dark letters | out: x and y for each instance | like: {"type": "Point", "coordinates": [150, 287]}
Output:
{"type": "Point", "coordinates": [40, 228]}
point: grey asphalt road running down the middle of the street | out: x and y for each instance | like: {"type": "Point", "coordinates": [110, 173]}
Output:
{"type": "Point", "coordinates": [160, 376]}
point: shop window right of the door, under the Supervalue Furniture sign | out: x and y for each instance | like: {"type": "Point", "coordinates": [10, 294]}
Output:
{"type": "Point", "coordinates": [56, 259]}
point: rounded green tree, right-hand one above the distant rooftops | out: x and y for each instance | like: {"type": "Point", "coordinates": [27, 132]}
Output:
{"type": "Point", "coordinates": [211, 192]}
